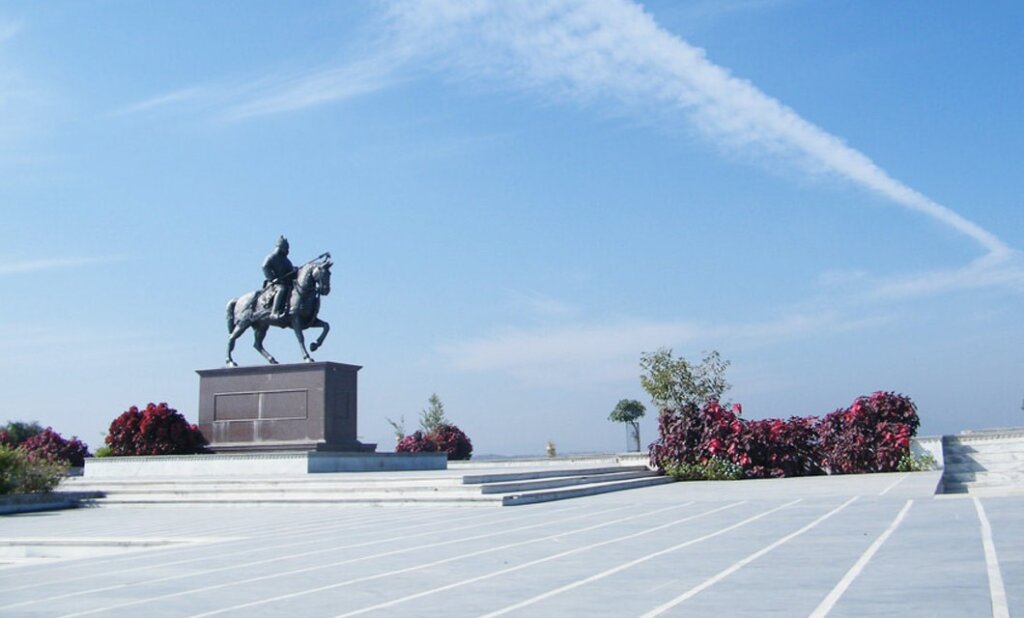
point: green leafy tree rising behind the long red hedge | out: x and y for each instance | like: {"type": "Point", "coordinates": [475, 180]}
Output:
{"type": "Point", "coordinates": [680, 386]}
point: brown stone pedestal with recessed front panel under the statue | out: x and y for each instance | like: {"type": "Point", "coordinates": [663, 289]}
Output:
{"type": "Point", "coordinates": [310, 407]}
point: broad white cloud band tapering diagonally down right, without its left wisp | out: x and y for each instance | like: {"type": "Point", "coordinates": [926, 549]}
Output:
{"type": "Point", "coordinates": [614, 50]}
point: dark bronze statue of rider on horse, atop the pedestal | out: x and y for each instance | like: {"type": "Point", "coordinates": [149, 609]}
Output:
{"type": "Point", "coordinates": [289, 299]}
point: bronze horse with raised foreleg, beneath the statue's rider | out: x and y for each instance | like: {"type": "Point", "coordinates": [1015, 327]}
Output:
{"type": "Point", "coordinates": [253, 311]}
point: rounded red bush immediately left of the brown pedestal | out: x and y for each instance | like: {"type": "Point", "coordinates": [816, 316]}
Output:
{"type": "Point", "coordinates": [158, 430]}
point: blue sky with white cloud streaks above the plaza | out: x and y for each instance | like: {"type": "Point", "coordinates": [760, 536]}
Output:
{"type": "Point", "coordinates": [522, 199]}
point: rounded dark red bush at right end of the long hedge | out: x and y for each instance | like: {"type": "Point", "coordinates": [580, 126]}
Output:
{"type": "Point", "coordinates": [872, 435]}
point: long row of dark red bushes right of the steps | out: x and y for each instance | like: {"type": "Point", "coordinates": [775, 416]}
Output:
{"type": "Point", "coordinates": [873, 435]}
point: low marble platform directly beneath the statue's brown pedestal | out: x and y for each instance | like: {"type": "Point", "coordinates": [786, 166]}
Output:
{"type": "Point", "coordinates": [249, 465]}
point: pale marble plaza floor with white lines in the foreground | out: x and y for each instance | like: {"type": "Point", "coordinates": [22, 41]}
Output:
{"type": "Point", "coordinates": [859, 546]}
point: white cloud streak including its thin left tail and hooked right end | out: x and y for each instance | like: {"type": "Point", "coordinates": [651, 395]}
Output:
{"type": "Point", "coordinates": [610, 52]}
